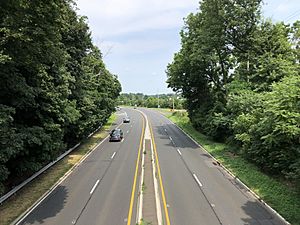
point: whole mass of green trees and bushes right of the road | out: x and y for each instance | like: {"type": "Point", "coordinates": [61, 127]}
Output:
{"type": "Point", "coordinates": [240, 75]}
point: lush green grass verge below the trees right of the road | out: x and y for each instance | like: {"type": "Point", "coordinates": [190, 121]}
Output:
{"type": "Point", "coordinates": [280, 195]}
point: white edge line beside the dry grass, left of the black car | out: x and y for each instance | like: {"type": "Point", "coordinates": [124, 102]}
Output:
{"type": "Point", "coordinates": [45, 195]}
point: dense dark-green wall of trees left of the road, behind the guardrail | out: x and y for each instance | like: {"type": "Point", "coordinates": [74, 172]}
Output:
{"type": "Point", "coordinates": [54, 87]}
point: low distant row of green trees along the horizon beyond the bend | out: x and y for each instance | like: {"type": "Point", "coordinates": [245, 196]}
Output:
{"type": "Point", "coordinates": [151, 101]}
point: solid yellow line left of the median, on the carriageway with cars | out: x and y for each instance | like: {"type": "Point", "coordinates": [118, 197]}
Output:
{"type": "Point", "coordinates": [135, 175]}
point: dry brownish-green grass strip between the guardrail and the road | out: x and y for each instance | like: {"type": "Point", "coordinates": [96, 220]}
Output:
{"type": "Point", "coordinates": [27, 196]}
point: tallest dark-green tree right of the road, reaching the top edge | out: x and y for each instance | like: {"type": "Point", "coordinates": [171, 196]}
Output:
{"type": "Point", "coordinates": [212, 41]}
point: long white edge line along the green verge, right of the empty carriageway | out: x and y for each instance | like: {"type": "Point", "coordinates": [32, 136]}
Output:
{"type": "Point", "coordinates": [231, 174]}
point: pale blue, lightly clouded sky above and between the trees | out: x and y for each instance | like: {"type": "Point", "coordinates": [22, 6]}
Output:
{"type": "Point", "coordinates": [138, 38]}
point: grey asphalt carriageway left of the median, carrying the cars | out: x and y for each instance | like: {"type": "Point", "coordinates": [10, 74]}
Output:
{"type": "Point", "coordinates": [98, 191]}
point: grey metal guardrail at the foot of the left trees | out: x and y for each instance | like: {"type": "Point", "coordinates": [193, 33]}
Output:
{"type": "Point", "coordinates": [20, 186]}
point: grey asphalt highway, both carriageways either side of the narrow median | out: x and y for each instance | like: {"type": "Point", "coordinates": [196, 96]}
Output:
{"type": "Point", "coordinates": [103, 189]}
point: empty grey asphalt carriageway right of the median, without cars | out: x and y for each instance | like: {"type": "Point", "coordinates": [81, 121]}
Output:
{"type": "Point", "coordinates": [198, 191]}
